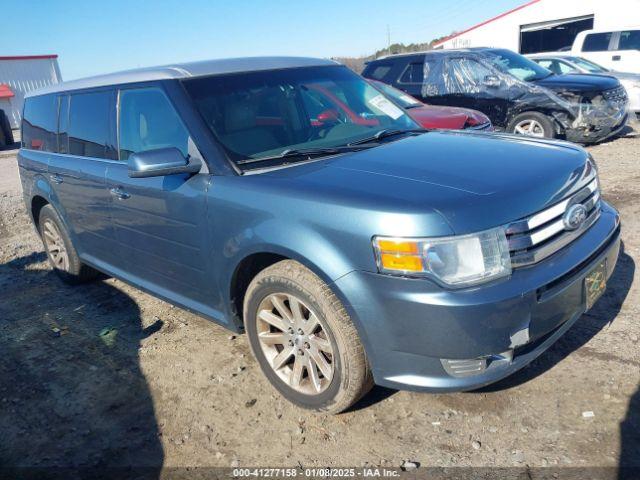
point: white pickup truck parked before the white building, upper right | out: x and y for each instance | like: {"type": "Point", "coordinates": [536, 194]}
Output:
{"type": "Point", "coordinates": [617, 50]}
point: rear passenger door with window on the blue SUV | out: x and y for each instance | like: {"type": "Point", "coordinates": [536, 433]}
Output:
{"type": "Point", "coordinates": [86, 145]}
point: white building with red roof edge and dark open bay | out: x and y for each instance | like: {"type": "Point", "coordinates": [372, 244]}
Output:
{"type": "Point", "coordinates": [546, 25]}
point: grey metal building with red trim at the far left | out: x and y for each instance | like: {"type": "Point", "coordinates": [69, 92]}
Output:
{"type": "Point", "coordinates": [19, 75]}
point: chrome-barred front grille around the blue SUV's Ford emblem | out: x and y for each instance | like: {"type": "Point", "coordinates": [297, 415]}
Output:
{"type": "Point", "coordinates": [534, 238]}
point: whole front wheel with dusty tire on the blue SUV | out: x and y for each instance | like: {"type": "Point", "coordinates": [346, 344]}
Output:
{"type": "Point", "coordinates": [333, 341]}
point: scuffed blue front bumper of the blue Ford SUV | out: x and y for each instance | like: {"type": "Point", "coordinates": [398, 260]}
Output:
{"type": "Point", "coordinates": [409, 326]}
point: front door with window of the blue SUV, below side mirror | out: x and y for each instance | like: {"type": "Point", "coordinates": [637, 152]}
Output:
{"type": "Point", "coordinates": [160, 222]}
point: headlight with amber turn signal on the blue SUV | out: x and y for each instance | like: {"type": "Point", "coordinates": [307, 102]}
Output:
{"type": "Point", "coordinates": [457, 261]}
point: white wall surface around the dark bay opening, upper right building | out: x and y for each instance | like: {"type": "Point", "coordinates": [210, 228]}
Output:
{"type": "Point", "coordinates": [504, 32]}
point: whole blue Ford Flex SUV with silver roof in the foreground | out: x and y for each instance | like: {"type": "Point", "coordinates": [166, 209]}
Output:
{"type": "Point", "coordinates": [352, 246]}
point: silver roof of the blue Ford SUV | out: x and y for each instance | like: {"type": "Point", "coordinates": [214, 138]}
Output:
{"type": "Point", "coordinates": [186, 70]}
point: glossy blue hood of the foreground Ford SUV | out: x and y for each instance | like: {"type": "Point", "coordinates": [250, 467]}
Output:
{"type": "Point", "coordinates": [475, 181]}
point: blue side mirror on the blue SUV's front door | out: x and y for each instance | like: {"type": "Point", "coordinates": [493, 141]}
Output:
{"type": "Point", "coordinates": [160, 162]}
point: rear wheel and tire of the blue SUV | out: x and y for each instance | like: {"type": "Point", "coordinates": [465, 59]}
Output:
{"type": "Point", "coordinates": [61, 253]}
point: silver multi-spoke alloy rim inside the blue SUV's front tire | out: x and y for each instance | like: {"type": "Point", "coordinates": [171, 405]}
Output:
{"type": "Point", "coordinates": [295, 343]}
